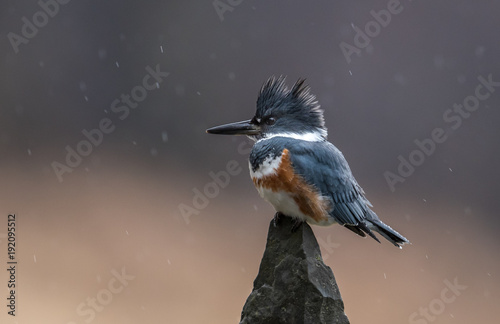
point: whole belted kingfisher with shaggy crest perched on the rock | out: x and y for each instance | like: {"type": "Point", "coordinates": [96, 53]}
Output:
{"type": "Point", "coordinates": [297, 170]}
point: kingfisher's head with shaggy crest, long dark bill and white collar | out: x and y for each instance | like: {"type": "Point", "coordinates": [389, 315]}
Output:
{"type": "Point", "coordinates": [281, 112]}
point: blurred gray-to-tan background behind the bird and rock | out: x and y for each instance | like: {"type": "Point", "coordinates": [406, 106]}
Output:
{"type": "Point", "coordinates": [125, 232]}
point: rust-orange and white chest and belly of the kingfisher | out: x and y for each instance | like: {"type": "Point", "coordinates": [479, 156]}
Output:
{"type": "Point", "coordinates": [277, 182]}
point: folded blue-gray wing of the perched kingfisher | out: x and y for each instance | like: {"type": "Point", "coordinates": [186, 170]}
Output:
{"type": "Point", "coordinates": [323, 165]}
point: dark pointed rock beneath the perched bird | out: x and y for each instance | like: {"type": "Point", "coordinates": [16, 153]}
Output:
{"type": "Point", "coordinates": [293, 285]}
